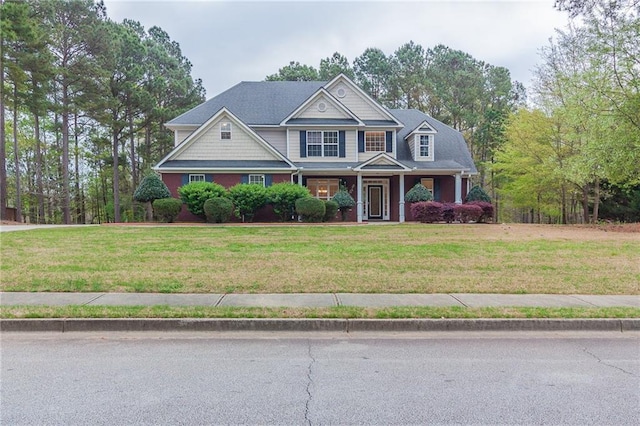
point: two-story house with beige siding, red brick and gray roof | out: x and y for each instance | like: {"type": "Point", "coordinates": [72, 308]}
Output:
{"type": "Point", "coordinates": [322, 135]}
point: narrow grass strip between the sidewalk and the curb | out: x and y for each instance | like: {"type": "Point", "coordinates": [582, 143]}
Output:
{"type": "Point", "coordinates": [347, 312]}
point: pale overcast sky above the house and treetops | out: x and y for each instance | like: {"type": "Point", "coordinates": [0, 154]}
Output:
{"type": "Point", "coordinates": [232, 41]}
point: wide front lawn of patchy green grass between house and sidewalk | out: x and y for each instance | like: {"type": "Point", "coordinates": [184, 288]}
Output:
{"type": "Point", "coordinates": [409, 258]}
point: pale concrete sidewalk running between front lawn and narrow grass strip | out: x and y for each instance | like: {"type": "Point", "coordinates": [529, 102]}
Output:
{"type": "Point", "coordinates": [317, 300]}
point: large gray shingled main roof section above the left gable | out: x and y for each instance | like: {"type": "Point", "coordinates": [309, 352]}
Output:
{"type": "Point", "coordinates": [254, 102]}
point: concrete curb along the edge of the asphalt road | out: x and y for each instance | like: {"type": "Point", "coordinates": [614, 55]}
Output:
{"type": "Point", "coordinates": [330, 325]}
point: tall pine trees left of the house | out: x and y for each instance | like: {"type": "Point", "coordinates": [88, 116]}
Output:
{"type": "Point", "coordinates": [84, 99]}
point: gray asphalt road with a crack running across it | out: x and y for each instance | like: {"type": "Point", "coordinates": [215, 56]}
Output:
{"type": "Point", "coordinates": [317, 378]}
